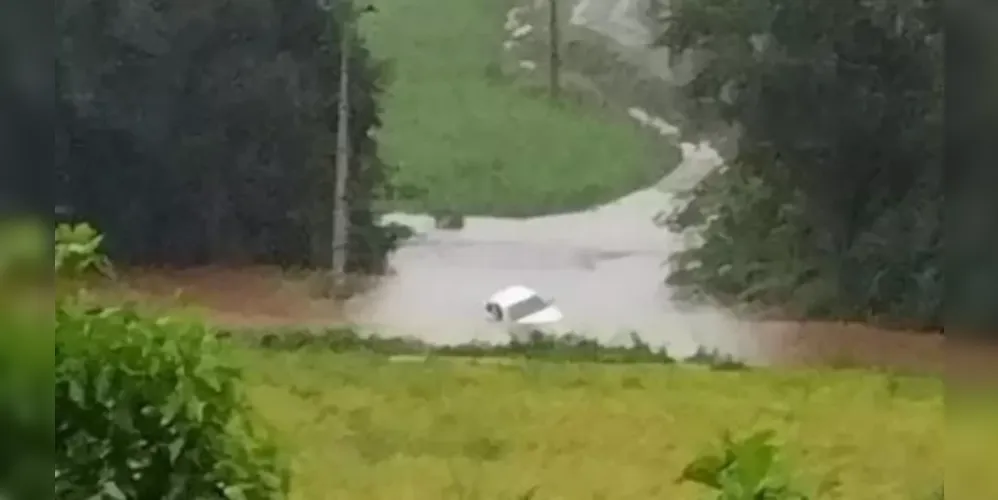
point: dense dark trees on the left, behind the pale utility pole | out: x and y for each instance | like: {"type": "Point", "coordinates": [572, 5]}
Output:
{"type": "Point", "coordinates": [204, 132]}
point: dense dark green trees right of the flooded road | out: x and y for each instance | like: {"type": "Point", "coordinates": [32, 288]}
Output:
{"type": "Point", "coordinates": [831, 208]}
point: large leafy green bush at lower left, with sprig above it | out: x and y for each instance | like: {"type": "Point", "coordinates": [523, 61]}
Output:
{"type": "Point", "coordinates": [148, 407]}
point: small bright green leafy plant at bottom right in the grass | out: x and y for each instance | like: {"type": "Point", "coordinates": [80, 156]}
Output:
{"type": "Point", "coordinates": [743, 469]}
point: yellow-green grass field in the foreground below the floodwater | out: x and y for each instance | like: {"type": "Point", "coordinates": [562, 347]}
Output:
{"type": "Point", "coordinates": [360, 426]}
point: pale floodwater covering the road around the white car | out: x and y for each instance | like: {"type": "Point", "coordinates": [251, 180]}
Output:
{"type": "Point", "coordinates": [604, 268]}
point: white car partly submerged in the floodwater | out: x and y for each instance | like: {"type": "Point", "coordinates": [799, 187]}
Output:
{"type": "Point", "coordinates": [522, 311]}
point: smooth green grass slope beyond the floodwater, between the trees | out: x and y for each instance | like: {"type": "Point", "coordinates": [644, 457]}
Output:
{"type": "Point", "coordinates": [473, 143]}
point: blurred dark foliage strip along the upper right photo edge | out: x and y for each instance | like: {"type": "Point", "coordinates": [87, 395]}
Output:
{"type": "Point", "coordinates": [971, 153]}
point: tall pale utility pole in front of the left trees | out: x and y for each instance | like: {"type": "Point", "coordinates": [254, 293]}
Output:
{"type": "Point", "coordinates": [341, 212]}
